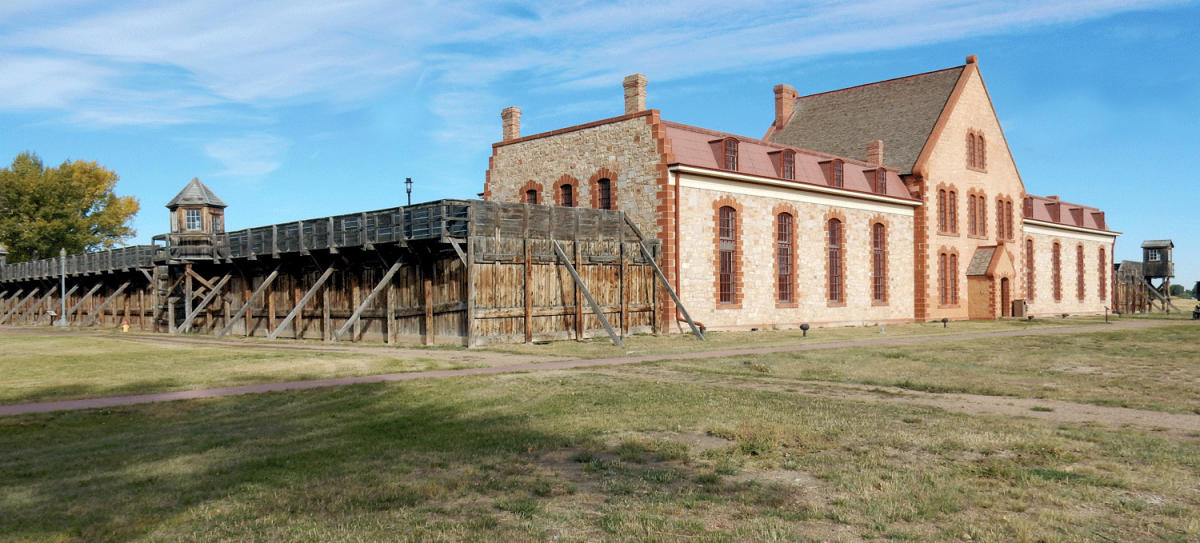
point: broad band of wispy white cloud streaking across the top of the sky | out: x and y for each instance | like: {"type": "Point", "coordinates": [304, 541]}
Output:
{"type": "Point", "coordinates": [203, 56]}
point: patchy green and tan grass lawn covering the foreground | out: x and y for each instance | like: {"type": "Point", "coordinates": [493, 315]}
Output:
{"type": "Point", "coordinates": [711, 451]}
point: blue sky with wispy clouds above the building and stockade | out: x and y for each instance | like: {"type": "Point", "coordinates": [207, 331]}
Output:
{"type": "Point", "coordinates": [298, 109]}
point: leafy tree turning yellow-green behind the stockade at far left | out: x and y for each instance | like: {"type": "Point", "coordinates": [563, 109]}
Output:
{"type": "Point", "coordinates": [68, 207]}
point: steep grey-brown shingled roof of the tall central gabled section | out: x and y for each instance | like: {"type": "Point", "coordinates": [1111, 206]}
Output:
{"type": "Point", "coordinates": [901, 112]}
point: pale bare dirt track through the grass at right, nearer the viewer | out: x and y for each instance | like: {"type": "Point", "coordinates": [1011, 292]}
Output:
{"type": "Point", "coordinates": [1180, 425]}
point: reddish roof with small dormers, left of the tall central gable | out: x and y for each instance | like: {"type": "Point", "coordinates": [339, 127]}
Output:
{"type": "Point", "coordinates": [693, 146]}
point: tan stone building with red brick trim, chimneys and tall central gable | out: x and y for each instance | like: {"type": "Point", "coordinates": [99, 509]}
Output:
{"type": "Point", "coordinates": [886, 202]}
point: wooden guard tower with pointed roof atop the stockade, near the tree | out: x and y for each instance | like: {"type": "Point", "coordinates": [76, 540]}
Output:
{"type": "Point", "coordinates": [197, 218]}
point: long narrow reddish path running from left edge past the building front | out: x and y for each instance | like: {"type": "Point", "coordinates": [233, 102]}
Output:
{"type": "Point", "coordinates": [557, 365]}
